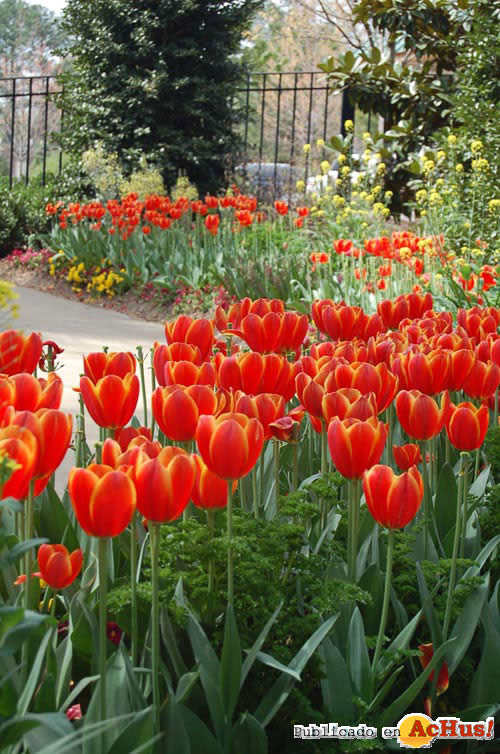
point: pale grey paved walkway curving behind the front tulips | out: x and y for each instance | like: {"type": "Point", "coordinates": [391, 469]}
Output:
{"type": "Point", "coordinates": [81, 329]}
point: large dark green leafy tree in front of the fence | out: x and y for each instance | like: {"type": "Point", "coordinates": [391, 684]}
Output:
{"type": "Point", "coordinates": [156, 77]}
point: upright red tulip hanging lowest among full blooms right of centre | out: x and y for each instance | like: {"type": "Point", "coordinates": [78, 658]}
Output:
{"type": "Point", "coordinates": [393, 500]}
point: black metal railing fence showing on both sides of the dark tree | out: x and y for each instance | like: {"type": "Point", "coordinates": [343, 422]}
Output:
{"type": "Point", "coordinates": [281, 113]}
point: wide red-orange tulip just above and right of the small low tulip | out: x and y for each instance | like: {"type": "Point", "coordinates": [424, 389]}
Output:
{"type": "Point", "coordinates": [103, 499]}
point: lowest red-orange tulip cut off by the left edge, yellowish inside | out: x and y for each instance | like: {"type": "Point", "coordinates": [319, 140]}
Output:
{"type": "Point", "coordinates": [19, 444]}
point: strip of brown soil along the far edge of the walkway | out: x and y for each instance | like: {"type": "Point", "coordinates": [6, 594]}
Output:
{"type": "Point", "coordinates": [130, 303]}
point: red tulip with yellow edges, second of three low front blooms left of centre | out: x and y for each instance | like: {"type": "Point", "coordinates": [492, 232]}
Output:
{"type": "Point", "coordinates": [164, 485]}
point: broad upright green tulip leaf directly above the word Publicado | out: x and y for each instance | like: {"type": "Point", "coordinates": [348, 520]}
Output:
{"type": "Point", "coordinates": [336, 686]}
